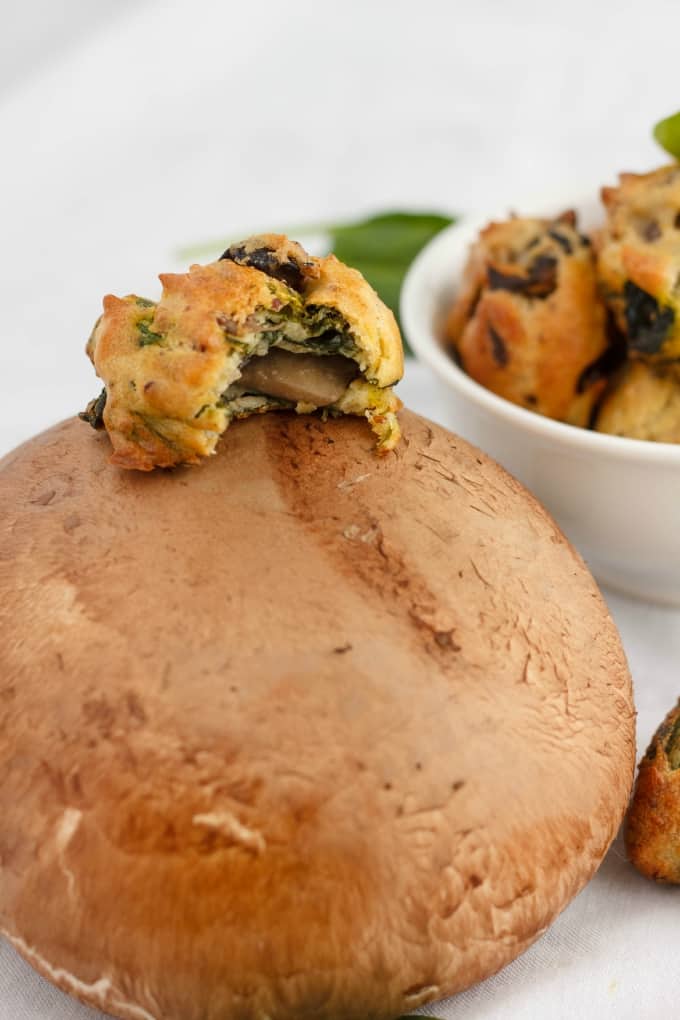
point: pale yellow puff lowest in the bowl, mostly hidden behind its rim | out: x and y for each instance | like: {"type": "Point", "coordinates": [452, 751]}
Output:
{"type": "Point", "coordinates": [643, 402]}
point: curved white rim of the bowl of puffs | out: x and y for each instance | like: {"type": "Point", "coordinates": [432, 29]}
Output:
{"type": "Point", "coordinates": [419, 321]}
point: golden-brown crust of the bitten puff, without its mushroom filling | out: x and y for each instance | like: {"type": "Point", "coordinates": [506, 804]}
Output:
{"type": "Point", "coordinates": [168, 367]}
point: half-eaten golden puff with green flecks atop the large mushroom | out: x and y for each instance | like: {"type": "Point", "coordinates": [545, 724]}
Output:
{"type": "Point", "coordinates": [266, 328]}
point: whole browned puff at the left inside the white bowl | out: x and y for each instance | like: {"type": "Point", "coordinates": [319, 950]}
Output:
{"type": "Point", "coordinates": [527, 324]}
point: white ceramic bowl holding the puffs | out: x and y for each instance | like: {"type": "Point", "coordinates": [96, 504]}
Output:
{"type": "Point", "coordinates": [618, 500]}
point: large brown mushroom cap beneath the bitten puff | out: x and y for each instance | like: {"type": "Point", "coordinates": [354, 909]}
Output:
{"type": "Point", "coordinates": [301, 734]}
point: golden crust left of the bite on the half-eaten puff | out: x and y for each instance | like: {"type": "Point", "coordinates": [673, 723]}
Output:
{"type": "Point", "coordinates": [165, 380]}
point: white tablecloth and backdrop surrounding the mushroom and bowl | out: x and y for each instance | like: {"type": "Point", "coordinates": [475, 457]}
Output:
{"type": "Point", "coordinates": [147, 127]}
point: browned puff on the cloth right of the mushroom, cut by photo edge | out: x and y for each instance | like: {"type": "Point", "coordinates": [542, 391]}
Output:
{"type": "Point", "coordinates": [653, 826]}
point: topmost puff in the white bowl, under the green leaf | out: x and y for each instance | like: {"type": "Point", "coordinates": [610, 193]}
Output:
{"type": "Point", "coordinates": [639, 261]}
